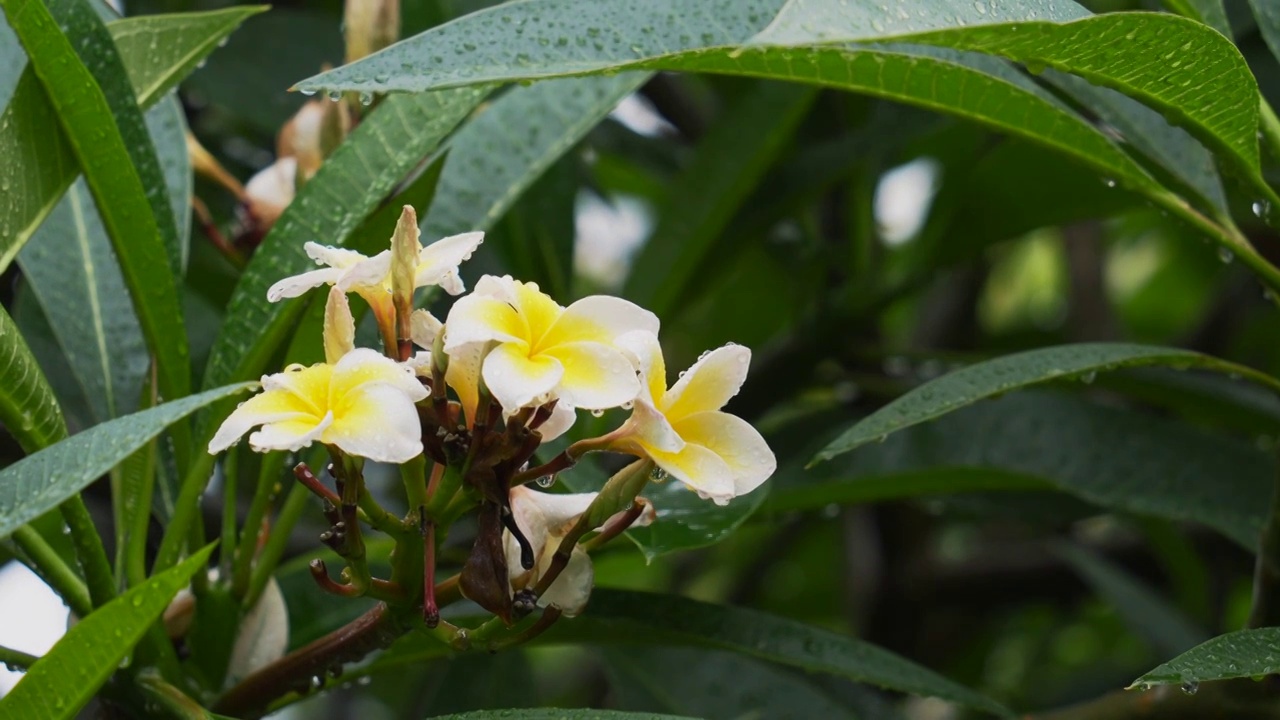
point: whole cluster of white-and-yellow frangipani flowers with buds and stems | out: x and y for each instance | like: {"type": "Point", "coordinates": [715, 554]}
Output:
{"type": "Point", "coordinates": [464, 407]}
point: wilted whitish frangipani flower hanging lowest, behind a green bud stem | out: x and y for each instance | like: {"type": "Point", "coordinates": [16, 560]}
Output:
{"type": "Point", "coordinates": [546, 518]}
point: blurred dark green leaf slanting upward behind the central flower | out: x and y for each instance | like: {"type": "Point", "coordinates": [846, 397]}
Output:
{"type": "Point", "coordinates": [725, 170]}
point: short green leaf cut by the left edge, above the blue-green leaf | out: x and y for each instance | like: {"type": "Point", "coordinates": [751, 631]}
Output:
{"type": "Point", "coordinates": [29, 409]}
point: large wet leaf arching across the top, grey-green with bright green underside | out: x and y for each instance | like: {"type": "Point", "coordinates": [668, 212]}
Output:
{"type": "Point", "coordinates": [1162, 60]}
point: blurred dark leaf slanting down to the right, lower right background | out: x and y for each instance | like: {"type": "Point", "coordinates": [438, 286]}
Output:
{"type": "Point", "coordinates": [1153, 617]}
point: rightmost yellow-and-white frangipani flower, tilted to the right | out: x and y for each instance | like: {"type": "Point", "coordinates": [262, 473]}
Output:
{"type": "Point", "coordinates": [684, 431]}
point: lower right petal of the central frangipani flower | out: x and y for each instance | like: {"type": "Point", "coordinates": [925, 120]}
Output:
{"type": "Point", "coordinates": [596, 377]}
